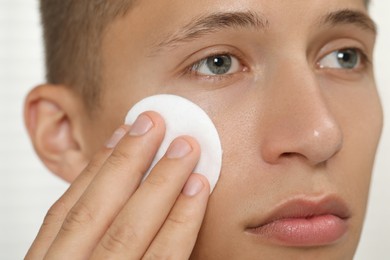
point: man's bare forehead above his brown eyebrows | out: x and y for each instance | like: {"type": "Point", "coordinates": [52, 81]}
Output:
{"type": "Point", "coordinates": [173, 13]}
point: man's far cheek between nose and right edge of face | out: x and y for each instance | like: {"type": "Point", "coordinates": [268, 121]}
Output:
{"type": "Point", "coordinates": [360, 115]}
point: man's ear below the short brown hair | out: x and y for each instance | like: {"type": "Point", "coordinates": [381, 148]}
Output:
{"type": "Point", "coordinates": [52, 117]}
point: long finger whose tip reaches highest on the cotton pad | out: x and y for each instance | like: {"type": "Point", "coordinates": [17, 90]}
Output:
{"type": "Point", "coordinates": [118, 178]}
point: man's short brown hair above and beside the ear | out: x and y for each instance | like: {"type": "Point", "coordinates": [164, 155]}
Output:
{"type": "Point", "coordinates": [73, 32]}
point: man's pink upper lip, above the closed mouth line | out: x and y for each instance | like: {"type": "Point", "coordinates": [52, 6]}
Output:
{"type": "Point", "coordinates": [306, 207]}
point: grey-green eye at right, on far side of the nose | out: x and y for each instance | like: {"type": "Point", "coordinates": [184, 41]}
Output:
{"type": "Point", "coordinates": [342, 59]}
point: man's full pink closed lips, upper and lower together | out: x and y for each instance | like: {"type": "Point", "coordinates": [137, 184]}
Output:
{"type": "Point", "coordinates": [304, 222]}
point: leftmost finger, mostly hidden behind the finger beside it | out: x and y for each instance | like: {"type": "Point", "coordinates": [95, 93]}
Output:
{"type": "Point", "coordinates": [58, 211]}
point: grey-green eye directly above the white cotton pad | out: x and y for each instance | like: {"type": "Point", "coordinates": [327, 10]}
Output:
{"type": "Point", "coordinates": [217, 65]}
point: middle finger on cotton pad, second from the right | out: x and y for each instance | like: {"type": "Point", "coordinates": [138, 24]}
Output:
{"type": "Point", "coordinates": [137, 224]}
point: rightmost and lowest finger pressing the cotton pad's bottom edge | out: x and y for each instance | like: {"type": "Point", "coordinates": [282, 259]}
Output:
{"type": "Point", "coordinates": [177, 237]}
